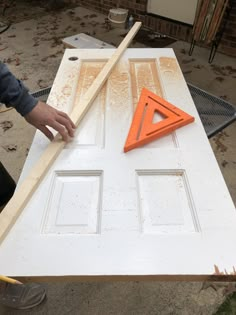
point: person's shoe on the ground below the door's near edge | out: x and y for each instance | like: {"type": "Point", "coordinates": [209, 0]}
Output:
{"type": "Point", "coordinates": [21, 296]}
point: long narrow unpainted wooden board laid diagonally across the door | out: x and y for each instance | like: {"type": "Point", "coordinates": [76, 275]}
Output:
{"type": "Point", "coordinates": [23, 193]}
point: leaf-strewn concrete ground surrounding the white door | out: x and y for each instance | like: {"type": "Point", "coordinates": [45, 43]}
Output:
{"type": "Point", "coordinates": [32, 48]}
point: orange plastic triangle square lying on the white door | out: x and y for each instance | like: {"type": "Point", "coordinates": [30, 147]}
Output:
{"type": "Point", "coordinates": [143, 130]}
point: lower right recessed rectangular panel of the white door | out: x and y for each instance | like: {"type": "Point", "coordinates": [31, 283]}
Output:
{"type": "Point", "coordinates": [162, 213]}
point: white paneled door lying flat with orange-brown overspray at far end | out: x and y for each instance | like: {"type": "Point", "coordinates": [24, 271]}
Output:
{"type": "Point", "coordinates": [161, 209]}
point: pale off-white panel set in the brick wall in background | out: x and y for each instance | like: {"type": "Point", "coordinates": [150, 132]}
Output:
{"type": "Point", "coordinates": [179, 10]}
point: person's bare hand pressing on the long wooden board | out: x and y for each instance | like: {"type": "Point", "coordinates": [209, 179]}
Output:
{"type": "Point", "coordinates": [43, 115]}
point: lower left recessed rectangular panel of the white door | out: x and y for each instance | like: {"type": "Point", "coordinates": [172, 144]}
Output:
{"type": "Point", "coordinates": [69, 212]}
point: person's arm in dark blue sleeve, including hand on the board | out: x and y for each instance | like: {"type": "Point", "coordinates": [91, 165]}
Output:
{"type": "Point", "coordinates": [39, 114]}
